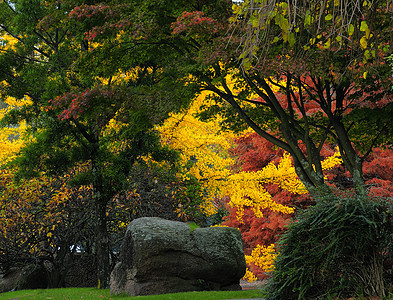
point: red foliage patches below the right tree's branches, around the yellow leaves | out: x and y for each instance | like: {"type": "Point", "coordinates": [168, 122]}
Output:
{"type": "Point", "coordinates": [255, 153]}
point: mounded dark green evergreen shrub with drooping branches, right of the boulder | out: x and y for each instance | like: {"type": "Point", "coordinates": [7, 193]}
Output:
{"type": "Point", "coordinates": [335, 248]}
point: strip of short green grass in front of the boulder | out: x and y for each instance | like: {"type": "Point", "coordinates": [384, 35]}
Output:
{"type": "Point", "coordinates": [92, 293]}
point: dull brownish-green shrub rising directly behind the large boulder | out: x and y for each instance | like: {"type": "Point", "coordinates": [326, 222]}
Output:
{"type": "Point", "coordinates": [154, 190]}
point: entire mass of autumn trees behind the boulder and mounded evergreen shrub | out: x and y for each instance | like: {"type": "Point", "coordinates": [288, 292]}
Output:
{"type": "Point", "coordinates": [127, 91]}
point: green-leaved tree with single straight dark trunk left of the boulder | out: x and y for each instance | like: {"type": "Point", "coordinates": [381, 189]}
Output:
{"type": "Point", "coordinates": [100, 76]}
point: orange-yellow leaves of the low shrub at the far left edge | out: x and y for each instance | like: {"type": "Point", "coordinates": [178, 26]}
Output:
{"type": "Point", "coordinates": [32, 210]}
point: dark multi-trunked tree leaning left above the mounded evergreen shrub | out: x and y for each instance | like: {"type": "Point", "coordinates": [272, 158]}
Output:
{"type": "Point", "coordinates": [328, 63]}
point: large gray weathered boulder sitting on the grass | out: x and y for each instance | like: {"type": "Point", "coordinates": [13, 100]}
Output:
{"type": "Point", "coordinates": [160, 256]}
